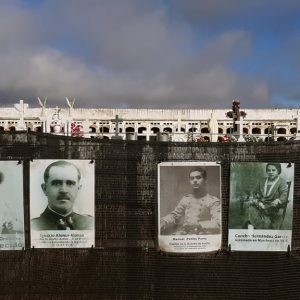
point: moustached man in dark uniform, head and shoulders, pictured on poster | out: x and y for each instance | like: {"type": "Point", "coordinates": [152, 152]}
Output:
{"type": "Point", "coordinates": [62, 183]}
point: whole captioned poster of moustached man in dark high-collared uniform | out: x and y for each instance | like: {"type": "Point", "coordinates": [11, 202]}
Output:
{"type": "Point", "coordinates": [62, 200]}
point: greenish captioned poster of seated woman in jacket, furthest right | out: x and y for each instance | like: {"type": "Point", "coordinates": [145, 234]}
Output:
{"type": "Point", "coordinates": [261, 203]}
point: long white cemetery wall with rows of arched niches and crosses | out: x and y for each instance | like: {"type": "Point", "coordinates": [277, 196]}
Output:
{"type": "Point", "coordinates": [146, 124]}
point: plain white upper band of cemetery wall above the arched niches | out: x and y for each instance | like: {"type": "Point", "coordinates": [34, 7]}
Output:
{"type": "Point", "coordinates": [151, 114]}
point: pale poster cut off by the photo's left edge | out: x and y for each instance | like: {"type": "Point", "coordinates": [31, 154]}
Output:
{"type": "Point", "coordinates": [11, 206]}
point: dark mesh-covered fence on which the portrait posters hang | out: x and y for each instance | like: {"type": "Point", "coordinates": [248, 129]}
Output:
{"type": "Point", "coordinates": [126, 263]}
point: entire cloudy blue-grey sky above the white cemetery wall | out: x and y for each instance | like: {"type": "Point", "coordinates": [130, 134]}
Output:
{"type": "Point", "coordinates": [158, 53]}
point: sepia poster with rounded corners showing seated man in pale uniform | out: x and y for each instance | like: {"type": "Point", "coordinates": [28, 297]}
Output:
{"type": "Point", "coordinates": [189, 206]}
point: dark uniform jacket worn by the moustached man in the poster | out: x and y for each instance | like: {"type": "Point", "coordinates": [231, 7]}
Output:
{"type": "Point", "coordinates": [49, 220]}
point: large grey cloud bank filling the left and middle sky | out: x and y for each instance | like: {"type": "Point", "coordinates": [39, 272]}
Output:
{"type": "Point", "coordinates": [123, 52]}
